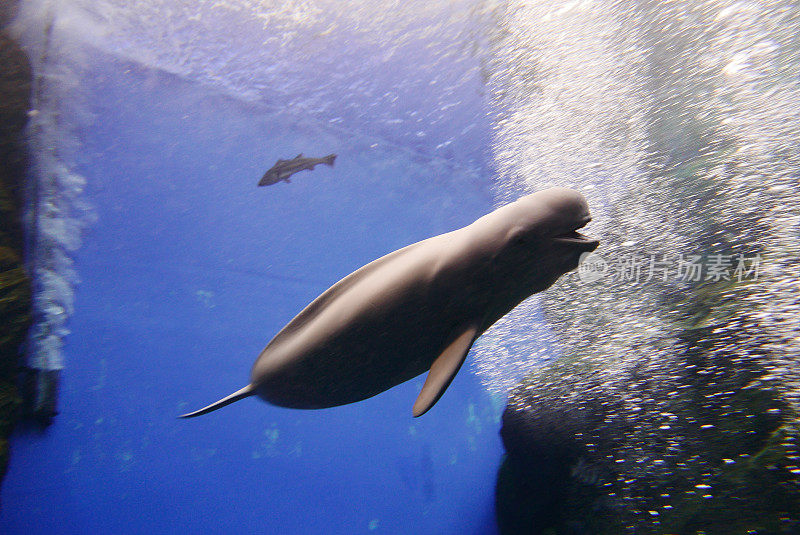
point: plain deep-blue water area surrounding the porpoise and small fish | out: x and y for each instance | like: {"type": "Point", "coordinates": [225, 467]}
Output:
{"type": "Point", "coordinates": [188, 272]}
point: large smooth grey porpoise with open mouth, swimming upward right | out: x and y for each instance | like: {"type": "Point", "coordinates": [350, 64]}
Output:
{"type": "Point", "coordinates": [419, 308]}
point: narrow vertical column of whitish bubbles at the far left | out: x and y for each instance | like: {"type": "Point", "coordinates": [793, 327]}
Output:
{"type": "Point", "coordinates": [55, 212]}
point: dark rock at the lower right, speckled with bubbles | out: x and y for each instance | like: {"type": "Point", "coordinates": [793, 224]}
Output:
{"type": "Point", "coordinates": [713, 450]}
